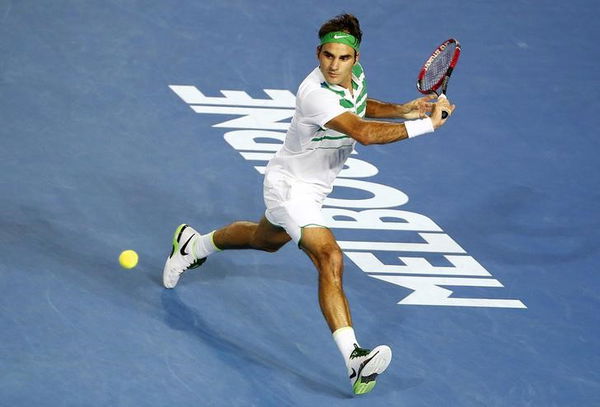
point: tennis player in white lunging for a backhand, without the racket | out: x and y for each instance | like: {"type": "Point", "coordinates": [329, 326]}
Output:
{"type": "Point", "coordinates": [331, 105]}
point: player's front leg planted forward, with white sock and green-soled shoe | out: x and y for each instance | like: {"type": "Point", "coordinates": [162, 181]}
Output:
{"type": "Point", "coordinates": [364, 365]}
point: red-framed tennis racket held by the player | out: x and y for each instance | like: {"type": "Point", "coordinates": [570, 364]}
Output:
{"type": "Point", "coordinates": [435, 73]}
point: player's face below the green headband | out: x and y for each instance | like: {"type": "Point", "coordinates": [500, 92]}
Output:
{"type": "Point", "coordinates": [336, 62]}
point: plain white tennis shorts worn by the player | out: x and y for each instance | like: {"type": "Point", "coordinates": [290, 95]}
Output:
{"type": "Point", "coordinates": [292, 204]}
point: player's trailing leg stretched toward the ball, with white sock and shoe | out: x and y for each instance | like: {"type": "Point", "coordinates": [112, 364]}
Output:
{"type": "Point", "coordinates": [190, 248]}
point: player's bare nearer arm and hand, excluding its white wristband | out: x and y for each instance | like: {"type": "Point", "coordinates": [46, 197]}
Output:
{"type": "Point", "coordinates": [378, 132]}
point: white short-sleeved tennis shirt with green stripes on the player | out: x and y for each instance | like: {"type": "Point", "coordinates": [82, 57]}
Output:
{"type": "Point", "coordinates": [312, 153]}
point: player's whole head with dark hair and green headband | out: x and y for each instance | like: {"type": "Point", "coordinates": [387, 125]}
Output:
{"type": "Point", "coordinates": [338, 50]}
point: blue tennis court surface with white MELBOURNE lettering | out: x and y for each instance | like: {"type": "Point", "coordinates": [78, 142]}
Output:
{"type": "Point", "coordinates": [471, 252]}
